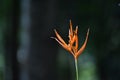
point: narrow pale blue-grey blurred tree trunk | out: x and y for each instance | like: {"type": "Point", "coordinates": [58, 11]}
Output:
{"type": "Point", "coordinates": [23, 50]}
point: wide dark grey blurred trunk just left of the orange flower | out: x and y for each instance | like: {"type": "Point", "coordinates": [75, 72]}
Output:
{"type": "Point", "coordinates": [43, 51]}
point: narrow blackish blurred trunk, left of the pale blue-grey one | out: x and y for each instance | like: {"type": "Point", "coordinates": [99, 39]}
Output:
{"type": "Point", "coordinates": [11, 42]}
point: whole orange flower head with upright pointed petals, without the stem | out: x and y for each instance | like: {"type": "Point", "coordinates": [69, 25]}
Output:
{"type": "Point", "coordinates": [72, 45]}
